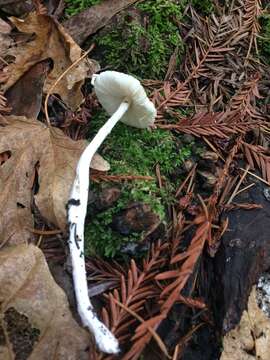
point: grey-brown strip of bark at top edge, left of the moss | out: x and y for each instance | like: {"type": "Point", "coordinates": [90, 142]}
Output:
{"type": "Point", "coordinates": [89, 21]}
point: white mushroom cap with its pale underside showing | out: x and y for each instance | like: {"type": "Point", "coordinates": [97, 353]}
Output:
{"type": "Point", "coordinates": [112, 88]}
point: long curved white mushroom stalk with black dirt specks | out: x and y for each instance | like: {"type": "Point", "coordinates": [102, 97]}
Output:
{"type": "Point", "coordinates": [77, 207]}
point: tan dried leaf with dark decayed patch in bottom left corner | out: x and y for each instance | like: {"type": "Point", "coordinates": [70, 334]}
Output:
{"type": "Point", "coordinates": [35, 316]}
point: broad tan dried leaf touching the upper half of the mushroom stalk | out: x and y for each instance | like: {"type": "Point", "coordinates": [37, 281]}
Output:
{"type": "Point", "coordinates": [31, 143]}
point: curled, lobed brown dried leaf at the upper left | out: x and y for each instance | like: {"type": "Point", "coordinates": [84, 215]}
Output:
{"type": "Point", "coordinates": [50, 41]}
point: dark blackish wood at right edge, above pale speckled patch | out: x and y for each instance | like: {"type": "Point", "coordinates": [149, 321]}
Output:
{"type": "Point", "coordinates": [242, 257]}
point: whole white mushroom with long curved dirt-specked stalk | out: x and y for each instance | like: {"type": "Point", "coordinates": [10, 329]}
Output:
{"type": "Point", "coordinates": [125, 99]}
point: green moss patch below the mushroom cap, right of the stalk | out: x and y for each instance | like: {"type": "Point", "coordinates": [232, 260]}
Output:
{"type": "Point", "coordinates": [133, 151]}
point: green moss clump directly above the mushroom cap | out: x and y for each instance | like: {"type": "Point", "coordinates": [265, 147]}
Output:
{"type": "Point", "coordinates": [144, 50]}
